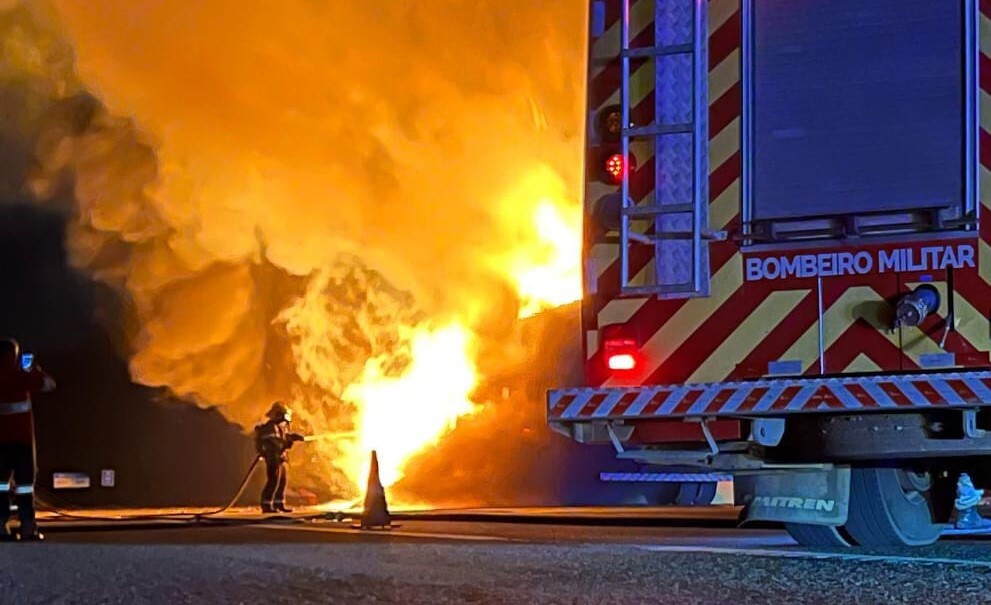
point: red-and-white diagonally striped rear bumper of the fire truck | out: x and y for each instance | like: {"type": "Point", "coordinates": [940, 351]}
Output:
{"type": "Point", "coordinates": [777, 397]}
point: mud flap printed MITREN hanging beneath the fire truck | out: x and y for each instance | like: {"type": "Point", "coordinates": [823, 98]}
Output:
{"type": "Point", "coordinates": [820, 497]}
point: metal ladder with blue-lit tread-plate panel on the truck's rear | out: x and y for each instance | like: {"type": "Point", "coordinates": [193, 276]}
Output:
{"type": "Point", "coordinates": [679, 205]}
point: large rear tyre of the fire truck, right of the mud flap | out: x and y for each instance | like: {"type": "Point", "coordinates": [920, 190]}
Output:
{"type": "Point", "coordinates": [889, 507]}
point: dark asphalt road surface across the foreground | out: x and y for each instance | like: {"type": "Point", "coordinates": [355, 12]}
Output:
{"type": "Point", "coordinates": [244, 560]}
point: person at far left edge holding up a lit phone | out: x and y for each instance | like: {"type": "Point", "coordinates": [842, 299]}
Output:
{"type": "Point", "coordinates": [17, 383]}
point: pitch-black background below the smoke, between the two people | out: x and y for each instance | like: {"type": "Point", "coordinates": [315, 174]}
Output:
{"type": "Point", "coordinates": [164, 452]}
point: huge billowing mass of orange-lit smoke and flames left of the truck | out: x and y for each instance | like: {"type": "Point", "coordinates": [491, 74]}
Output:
{"type": "Point", "coordinates": [321, 200]}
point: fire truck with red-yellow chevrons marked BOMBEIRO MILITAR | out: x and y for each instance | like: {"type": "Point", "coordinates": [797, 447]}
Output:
{"type": "Point", "coordinates": [787, 271]}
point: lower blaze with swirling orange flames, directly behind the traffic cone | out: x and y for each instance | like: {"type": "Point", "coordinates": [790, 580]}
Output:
{"type": "Point", "coordinates": [404, 380]}
